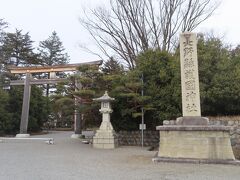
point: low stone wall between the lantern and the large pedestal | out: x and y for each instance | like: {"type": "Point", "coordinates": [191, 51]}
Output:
{"type": "Point", "coordinates": [133, 138]}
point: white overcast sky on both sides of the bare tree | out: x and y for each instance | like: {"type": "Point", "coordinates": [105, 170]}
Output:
{"type": "Point", "coordinates": [41, 17]}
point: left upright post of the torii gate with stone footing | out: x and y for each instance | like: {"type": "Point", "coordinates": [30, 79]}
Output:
{"type": "Point", "coordinates": [25, 107]}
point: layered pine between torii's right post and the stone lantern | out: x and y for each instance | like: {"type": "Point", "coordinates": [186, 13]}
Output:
{"type": "Point", "coordinates": [91, 86]}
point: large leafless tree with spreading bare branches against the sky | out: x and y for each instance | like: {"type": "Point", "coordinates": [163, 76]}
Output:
{"type": "Point", "coordinates": [133, 26]}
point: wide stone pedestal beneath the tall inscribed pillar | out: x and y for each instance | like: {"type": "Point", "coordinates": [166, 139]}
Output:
{"type": "Point", "coordinates": [195, 143]}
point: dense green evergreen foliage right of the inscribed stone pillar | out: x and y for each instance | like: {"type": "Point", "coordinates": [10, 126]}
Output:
{"type": "Point", "coordinates": [219, 77]}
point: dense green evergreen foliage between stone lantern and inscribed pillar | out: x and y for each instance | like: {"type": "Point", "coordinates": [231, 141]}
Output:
{"type": "Point", "coordinates": [161, 98]}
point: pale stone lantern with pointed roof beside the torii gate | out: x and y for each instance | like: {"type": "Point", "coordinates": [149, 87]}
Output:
{"type": "Point", "coordinates": [105, 137]}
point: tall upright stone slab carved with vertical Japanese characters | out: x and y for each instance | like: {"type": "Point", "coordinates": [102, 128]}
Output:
{"type": "Point", "coordinates": [189, 75]}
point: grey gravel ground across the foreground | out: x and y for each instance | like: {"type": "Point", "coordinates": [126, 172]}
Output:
{"type": "Point", "coordinates": [69, 159]}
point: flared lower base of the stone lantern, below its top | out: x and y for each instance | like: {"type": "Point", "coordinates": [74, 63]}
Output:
{"type": "Point", "coordinates": [105, 137]}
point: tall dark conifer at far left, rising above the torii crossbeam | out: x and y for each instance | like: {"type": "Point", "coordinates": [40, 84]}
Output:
{"type": "Point", "coordinates": [16, 49]}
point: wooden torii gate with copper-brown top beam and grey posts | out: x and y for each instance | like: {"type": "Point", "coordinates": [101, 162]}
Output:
{"type": "Point", "coordinates": [27, 89]}
